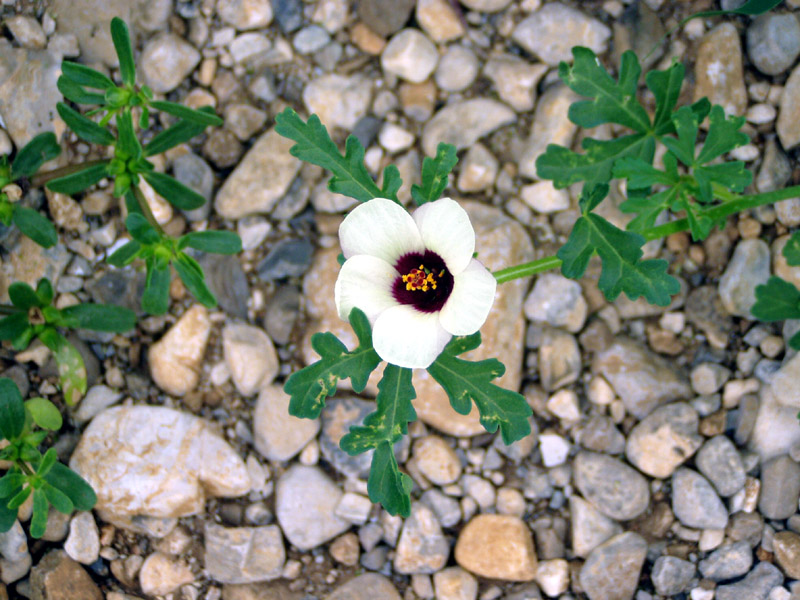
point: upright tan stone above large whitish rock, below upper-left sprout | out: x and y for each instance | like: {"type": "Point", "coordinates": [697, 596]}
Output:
{"type": "Point", "coordinates": [175, 360]}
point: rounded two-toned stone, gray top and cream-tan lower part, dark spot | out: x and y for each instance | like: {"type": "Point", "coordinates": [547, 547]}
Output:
{"type": "Point", "coordinates": [664, 440]}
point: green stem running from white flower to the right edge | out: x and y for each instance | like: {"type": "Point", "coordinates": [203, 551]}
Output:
{"type": "Point", "coordinates": [717, 213]}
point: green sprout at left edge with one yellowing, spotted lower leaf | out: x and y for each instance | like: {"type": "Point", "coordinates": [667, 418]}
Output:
{"type": "Point", "coordinates": [32, 315]}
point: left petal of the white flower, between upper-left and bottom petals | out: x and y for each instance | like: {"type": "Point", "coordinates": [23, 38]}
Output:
{"type": "Point", "coordinates": [364, 282]}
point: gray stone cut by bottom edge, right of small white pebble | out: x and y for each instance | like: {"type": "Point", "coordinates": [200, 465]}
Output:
{"type": "Point", "coordinates": [611, 571]}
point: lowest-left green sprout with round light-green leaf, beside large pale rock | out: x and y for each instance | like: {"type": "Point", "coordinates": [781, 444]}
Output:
{"type": "Point", "coordinates": [50, 482]}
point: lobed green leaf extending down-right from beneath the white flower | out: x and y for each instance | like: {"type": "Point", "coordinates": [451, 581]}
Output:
{"type": "Point", "coordinates": [466, 382]}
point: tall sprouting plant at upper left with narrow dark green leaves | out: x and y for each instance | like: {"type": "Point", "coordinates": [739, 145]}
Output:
{"type": "Point", "coordinates": [130, 166]}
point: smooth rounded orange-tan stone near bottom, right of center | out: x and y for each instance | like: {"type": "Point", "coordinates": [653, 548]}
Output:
{"type": "Point", "coordinates": [497, 547]}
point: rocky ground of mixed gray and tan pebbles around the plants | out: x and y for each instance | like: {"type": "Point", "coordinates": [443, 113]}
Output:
{"type": "Point", "coordinates": [664, 455]}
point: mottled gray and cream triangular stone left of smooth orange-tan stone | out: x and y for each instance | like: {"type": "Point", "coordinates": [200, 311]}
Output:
{"type": "Point", "coordinates": [422, 547]}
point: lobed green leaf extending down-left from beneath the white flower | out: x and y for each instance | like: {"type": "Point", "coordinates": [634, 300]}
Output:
{"type": "Point", "coordinates": [309, 386]}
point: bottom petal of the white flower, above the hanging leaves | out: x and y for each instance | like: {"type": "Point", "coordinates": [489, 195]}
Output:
{"type": "Point", "coordinates": [405, 337]}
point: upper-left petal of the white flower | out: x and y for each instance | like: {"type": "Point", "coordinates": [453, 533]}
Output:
{"type": "Point", "coordinates": [379, 228]}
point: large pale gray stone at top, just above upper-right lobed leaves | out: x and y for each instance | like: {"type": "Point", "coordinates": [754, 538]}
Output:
{"type": "Point", "coordinates": [552, 31]}
